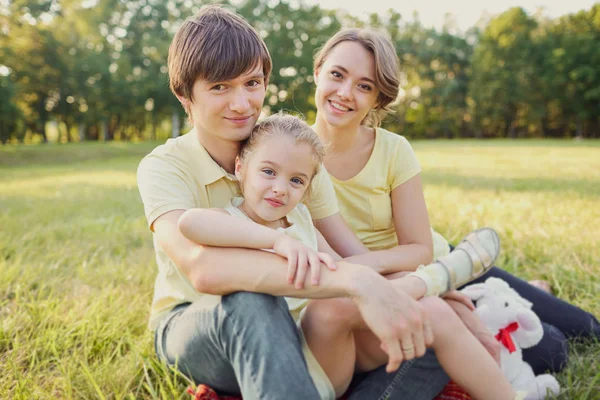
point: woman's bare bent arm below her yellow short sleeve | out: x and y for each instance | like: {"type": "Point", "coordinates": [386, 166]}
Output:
{"type": "Point", "coordinates": [415, 245]}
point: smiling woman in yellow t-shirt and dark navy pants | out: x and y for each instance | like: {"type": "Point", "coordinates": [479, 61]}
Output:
{"type": "Point", "coordinates": [377, 181]}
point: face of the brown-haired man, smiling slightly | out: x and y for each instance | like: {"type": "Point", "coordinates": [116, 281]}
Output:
{"type": "Point", "coordinates": [229, 109]}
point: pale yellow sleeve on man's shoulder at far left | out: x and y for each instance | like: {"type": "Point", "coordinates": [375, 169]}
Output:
{"type": "Point", "coordinates": [162, 188]}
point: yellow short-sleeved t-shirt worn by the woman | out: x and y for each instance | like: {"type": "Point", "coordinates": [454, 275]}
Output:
{"type": "Point", "coordinates": [365, 200]}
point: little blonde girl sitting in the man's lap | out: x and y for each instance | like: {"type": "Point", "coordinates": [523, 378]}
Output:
{"type": "Point", "coordinates": [275, 168]}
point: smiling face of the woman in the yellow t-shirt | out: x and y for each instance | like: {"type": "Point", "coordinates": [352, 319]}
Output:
{"type": "Point", "coordinates": [346, 90]}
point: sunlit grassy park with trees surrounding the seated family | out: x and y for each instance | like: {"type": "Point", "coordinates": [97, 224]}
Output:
{"type": "Point", "coordinates": [84, 96]}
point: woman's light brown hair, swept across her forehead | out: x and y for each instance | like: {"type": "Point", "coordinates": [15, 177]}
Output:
{"type": "Point", "coordinates": [387, 66]}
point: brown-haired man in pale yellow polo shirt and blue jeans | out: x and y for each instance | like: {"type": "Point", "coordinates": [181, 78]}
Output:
{"type": "Point", "coordinates": [219, 314]}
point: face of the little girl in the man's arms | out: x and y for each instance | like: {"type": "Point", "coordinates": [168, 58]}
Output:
{"type": "Point", "coordinates": [275, 177]}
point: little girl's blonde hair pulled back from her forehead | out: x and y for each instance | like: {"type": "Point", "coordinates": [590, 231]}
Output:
{"type": "Point", "coordinates": [288, 125]}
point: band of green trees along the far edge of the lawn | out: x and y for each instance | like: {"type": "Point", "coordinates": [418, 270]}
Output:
{"type": "Point", "coordinates": [97, 69]}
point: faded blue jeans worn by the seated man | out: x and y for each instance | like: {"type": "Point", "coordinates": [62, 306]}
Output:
{"type": "Point", "coordinates": [249, 344]}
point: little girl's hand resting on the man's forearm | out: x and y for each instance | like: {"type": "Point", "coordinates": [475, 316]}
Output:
{"type": "Point", "coordinates": [300, 257]}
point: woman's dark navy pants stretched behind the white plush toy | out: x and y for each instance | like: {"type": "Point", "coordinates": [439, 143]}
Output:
{"type": "Point", "coordinates": [560, 319]}
